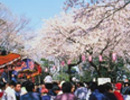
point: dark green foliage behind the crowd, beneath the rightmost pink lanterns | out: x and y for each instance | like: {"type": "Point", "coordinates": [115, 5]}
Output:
{"type": "Point", "coordinates": [108, 68]}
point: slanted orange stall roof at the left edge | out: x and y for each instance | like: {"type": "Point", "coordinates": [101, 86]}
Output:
{"type": "Point", "coordinates": [8, 59]}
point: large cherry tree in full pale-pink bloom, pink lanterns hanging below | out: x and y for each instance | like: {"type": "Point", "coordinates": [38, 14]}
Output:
{"type": "Point", "coordinates": [99, 31]}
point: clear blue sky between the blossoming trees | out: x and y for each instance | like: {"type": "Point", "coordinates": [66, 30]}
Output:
{"type": "Point", "coordinates": [35, 10]}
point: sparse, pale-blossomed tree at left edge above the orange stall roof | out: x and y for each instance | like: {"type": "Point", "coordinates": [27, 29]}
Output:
{"type": "Point", "coordinates": [11, 28]}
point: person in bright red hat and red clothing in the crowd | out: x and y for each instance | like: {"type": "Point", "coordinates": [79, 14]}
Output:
{"type": "Point", "coordinates": [117, 91]}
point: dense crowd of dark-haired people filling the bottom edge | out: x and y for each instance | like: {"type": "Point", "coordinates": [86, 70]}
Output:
{"type": "Point", "coordinates": [55, 90]}
